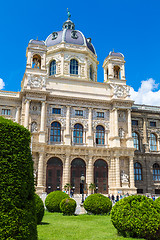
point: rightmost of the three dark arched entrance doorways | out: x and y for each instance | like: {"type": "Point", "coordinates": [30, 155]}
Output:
{"type": "Point", "coordinates": [101, 176]}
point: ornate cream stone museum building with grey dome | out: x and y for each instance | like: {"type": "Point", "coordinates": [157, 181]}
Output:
{"type": "Point", "coordinates": [82, 127]}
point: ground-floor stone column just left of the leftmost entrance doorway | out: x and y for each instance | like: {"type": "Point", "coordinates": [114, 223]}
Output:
{"type": "Point", "coordinates": [40, 186]}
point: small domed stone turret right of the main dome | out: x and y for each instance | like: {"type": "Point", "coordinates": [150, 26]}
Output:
{"type": "Point", "coordinates": [114, 70]}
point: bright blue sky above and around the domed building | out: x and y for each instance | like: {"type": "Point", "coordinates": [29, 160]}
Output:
{"type": "Point", "coordinates": [130, 27]}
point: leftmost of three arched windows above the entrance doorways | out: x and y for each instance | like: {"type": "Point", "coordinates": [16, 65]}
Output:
{"type": "Point", "coordinates": [55, 134]}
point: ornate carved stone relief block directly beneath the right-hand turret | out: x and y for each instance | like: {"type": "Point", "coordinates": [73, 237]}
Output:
{"type": "Point", "coordinates": [120, 91]}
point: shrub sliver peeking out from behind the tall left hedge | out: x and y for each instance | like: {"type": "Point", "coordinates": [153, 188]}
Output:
{"type": "Point", "coordinates": [39, 208]}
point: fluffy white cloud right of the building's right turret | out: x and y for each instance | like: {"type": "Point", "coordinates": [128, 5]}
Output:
{"type": "Point", "coordinates": [146, 94]}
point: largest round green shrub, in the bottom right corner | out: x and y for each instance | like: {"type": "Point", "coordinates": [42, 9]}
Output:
{"type": "Point", "coordinates": [136, 216]}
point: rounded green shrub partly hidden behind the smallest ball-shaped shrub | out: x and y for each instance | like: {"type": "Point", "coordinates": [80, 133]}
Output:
{"type": "Point", "coordinates": [53, 200]}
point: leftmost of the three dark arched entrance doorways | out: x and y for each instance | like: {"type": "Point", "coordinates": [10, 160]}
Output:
{"type": "Point", "coordinates": [54, 174]}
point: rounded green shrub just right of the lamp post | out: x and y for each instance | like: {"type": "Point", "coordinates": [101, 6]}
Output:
{"type": "Point", "coordinates": [97, 204]}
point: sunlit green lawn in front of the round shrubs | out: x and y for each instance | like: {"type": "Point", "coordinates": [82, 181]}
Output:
{"type": "Point", "coordinates": [55, 226]}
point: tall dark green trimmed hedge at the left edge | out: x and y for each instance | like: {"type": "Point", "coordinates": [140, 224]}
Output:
{"type": "Point", "coordinates": [17, 206]}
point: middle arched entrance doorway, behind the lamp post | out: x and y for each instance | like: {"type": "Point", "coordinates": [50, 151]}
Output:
{"type": "Point", "coordinates": [78, 168]}
